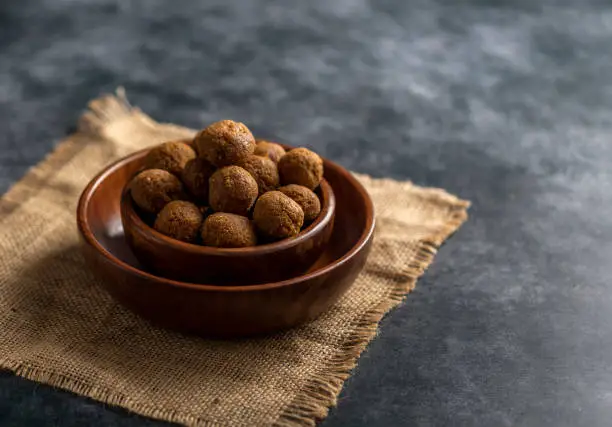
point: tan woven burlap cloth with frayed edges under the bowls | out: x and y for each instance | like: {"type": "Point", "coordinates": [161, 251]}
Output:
{"type": "Point", "coordinates": [57, 326]}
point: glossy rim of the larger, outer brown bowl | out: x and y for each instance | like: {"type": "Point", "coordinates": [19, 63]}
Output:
{"type": "Point", "coordinates": [89, 238]}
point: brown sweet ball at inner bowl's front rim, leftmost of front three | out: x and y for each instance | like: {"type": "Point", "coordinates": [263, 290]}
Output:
{"type": "Point", "coordinates": [180, 220]}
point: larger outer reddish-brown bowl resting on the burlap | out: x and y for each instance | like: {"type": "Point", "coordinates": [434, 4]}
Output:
{"type": "Point", "coordinates": [223, 310]}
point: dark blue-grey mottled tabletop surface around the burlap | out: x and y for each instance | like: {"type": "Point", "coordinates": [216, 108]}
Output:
{"type": "Point", "coordinates": [506, 103]}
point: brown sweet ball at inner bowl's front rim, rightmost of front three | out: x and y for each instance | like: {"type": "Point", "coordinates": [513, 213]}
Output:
{"type": "Point", "coordinates": [277, 216]}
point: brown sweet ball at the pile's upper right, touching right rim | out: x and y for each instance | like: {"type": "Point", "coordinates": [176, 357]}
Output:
{"type": "Point", "coordinates": [301, 166]}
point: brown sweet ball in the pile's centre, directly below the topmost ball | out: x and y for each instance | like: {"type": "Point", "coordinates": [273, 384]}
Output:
{"type": "Point", "coordinates": [233, 190]}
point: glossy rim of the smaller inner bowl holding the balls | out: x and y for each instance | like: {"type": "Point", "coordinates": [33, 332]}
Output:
{"type": "Point", "coordinates": [328, 208]}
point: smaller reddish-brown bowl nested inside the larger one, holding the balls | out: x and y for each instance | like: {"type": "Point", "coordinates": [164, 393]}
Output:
{"type": "Point", "coordinates": [271, 262]}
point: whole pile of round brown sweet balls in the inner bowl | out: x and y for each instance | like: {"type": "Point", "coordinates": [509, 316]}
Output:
{"type": "Point", "coordinates": [226, 189]}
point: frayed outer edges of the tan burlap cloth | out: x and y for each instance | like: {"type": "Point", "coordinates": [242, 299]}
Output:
{"type": "Point", "coordinates": [320, 393]}
